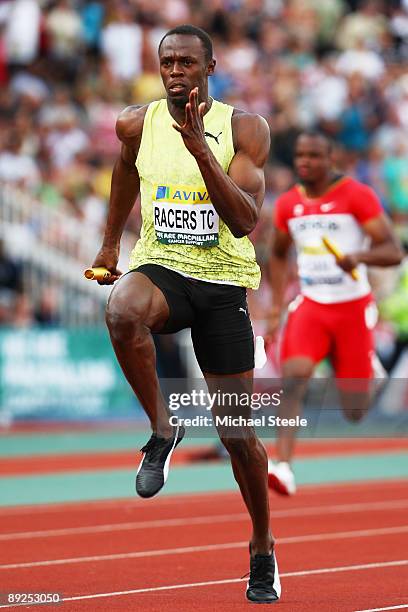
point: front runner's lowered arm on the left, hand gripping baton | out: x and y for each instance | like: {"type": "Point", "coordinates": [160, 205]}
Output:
{"type": "Point", "coordinates": [124, 188]}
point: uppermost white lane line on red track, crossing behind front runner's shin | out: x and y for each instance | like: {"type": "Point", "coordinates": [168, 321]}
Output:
{"type": "Point", "coordinates": [203, 520]}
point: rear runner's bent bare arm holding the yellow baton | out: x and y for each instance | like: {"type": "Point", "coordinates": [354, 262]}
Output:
{"type": "Point", "coordinates": [385, 249]}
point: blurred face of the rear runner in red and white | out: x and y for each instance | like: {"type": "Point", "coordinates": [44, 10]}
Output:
{"type": "Point", "coordinates": [312, 159]}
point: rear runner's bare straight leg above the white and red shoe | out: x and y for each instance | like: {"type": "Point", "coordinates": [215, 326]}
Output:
{"type": "Point", "coordinates": [296, 373]}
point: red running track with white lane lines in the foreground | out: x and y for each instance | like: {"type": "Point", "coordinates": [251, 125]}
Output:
{"type": "Point", "coordinates": [340, 548]}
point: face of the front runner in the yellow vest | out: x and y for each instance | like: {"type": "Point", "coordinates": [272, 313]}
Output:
{"type": "Point", "coordinates": [182, 67]}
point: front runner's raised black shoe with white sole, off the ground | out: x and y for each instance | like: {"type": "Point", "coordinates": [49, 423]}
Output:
{"type": "Point", "coordinates": [154, 466]}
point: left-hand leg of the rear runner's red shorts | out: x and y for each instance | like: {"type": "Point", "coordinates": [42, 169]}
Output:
{"type": "Point", "coordinates": [306, 333]}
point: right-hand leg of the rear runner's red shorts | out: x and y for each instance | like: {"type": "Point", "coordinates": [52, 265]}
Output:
{"type": "Point", "coordinates": [354, 340]}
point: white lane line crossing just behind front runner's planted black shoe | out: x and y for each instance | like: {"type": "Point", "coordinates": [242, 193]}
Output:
{"type": "Point", "coordinates": [325, 570]}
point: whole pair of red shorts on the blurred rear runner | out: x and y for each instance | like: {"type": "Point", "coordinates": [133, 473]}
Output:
{"type": "Point", "coordinates": [341, 331]}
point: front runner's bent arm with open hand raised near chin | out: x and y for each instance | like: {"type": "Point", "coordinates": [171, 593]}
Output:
{"type": "Point", "coordinates": [238, 195]}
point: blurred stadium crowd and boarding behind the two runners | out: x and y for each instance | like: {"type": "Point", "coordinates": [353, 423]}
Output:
{"type": "Point", "coordinates": [68, 67]}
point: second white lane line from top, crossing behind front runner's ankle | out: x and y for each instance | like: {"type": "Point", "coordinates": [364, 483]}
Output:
{"type": "Point", "coordinates": [314, 537]}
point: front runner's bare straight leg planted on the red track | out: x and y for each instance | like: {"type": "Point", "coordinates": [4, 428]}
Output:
{"type": "Point", "coordinates": [248, 459]}
